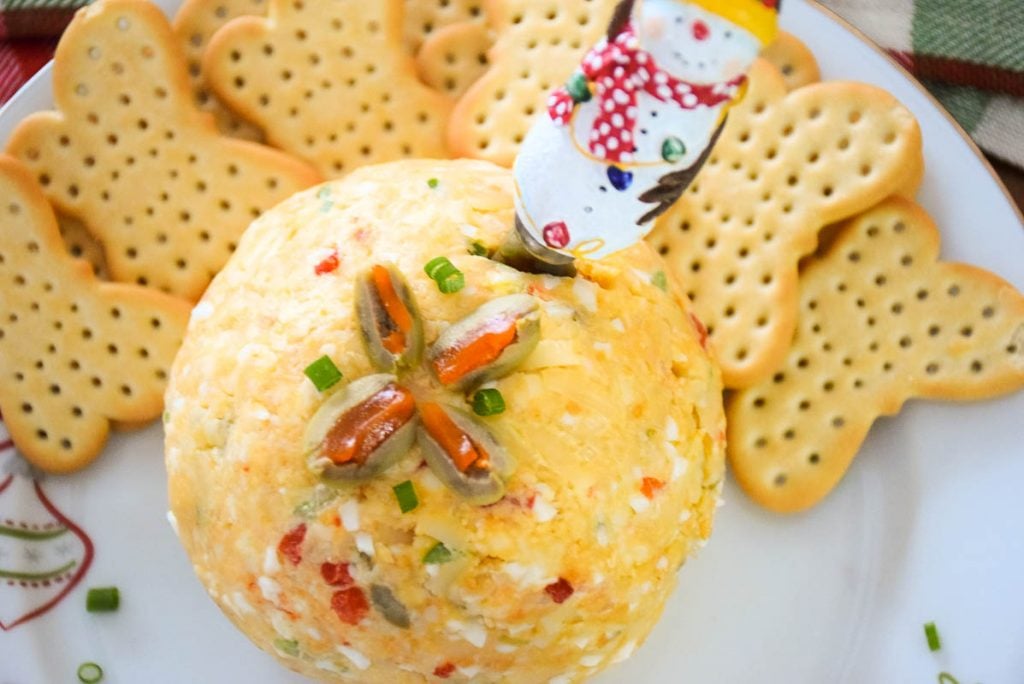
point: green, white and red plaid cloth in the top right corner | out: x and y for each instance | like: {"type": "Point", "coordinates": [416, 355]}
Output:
{"type": "Point", "coordinates": [969, 54]}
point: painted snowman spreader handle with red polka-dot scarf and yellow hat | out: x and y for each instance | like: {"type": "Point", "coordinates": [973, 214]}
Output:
{"type": "Point", "coordinates": [631, 130]}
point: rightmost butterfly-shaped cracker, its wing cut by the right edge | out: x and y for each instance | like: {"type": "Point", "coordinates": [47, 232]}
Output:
{"type": "Point", "coordinates": [881, 322]}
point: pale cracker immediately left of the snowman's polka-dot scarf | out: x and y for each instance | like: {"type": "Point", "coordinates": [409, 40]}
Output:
{"type": "Point", "coordinates": [540, 44]}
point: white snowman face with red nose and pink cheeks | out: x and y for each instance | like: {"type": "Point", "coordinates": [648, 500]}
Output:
{"type": "Point", "coordinates": [694, 45]}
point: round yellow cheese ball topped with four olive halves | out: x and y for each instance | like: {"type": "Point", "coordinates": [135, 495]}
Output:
{"type": "Point", "coordinates": [377, 528]}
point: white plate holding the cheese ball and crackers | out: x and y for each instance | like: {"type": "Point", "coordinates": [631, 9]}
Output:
{"type": "Point", "coordinates": [928, 526]}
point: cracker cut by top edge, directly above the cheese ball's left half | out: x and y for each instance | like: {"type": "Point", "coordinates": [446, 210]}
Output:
{"type": "Point", "coordinates": [330, 82]}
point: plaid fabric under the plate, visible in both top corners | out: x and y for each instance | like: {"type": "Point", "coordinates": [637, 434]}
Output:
{"type": "Point", "coordinates": [970, 55]}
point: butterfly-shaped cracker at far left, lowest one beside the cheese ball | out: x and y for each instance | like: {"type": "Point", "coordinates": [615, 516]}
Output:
{"type": "Point", "coordinates": [75, 354]}
